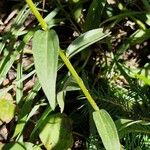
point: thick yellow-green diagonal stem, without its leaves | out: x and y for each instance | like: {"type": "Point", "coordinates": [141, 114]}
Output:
{"type": "Point", "coordinates": [64, 58]}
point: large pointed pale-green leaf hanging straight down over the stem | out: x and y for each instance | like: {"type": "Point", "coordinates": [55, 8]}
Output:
{"type": "Point", "coordinates": [45, 52]}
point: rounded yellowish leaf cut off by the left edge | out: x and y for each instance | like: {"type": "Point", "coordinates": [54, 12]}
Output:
{"type": "Point", "coordinates": [7, 110]}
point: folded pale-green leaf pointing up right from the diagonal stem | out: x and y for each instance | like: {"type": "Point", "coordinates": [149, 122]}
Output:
{"type": "Point", "coordinates": [85, 40]}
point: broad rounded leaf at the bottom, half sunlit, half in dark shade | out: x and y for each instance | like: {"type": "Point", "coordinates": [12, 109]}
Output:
{"type": "Point", "coordinates": [56, 133]}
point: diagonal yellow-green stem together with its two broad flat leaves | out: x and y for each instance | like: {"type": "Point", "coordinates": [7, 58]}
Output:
{"type": "Point", "coordinates": [48, 51]}
